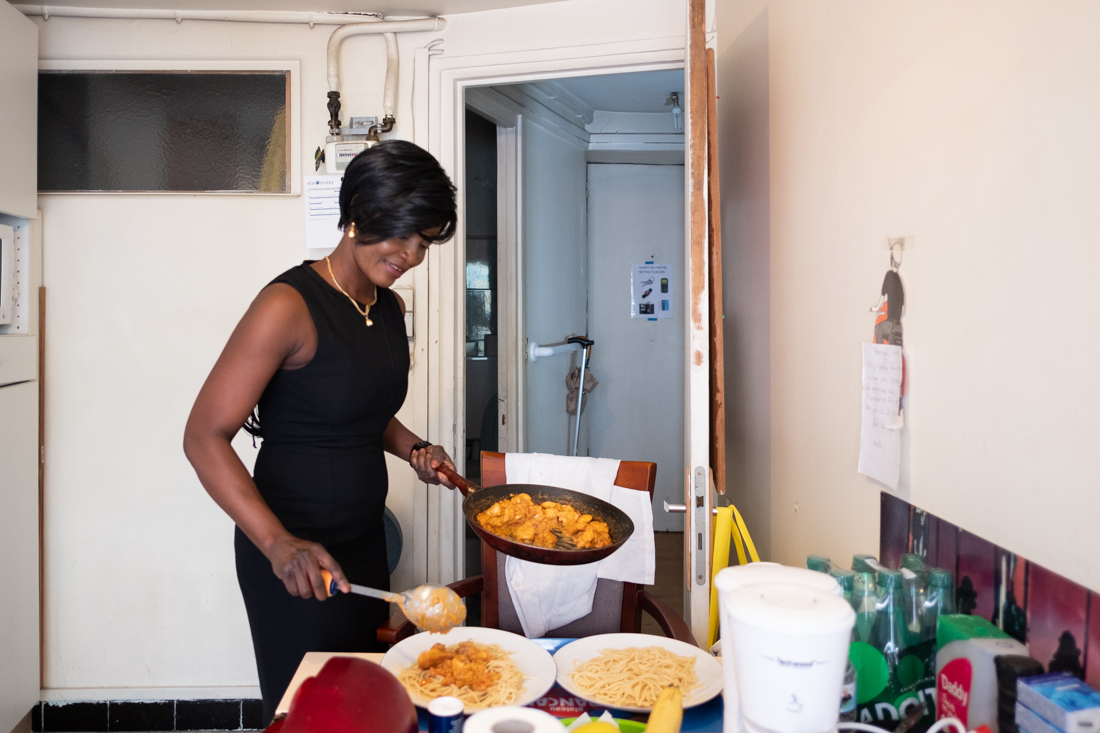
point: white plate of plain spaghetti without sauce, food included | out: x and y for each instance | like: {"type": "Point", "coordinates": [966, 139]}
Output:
{"type": "Point", "coordinates": [628, 672]}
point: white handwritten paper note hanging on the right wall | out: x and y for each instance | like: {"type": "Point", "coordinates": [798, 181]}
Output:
{"type": "Point", "coordinates": [883, 420]}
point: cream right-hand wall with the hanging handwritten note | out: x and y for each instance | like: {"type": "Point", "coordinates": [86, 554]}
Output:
{"type": "Point", "coordinates": [973, 128]}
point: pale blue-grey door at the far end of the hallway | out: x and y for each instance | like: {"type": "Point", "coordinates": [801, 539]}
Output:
{"type": "Point", "coordinates": [636, 214]}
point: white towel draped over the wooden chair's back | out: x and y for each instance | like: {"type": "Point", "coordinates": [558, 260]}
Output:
{"type": "Point", "coordinates": [548, 597]}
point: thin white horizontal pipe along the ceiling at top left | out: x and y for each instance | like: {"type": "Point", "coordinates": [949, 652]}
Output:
{"type": "Point", "coordinates": [179, 16]}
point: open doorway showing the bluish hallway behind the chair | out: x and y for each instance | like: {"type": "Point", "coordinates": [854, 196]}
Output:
{"type": "Point", "coordinates": [599, 188]}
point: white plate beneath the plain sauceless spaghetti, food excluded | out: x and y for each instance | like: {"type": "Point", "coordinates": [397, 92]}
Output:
{"type": "Point", "coordinates": [708, 670]}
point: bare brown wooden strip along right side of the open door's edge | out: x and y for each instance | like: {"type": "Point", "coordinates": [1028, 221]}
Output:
{"type": "Point", "coordinates": [714, 207]}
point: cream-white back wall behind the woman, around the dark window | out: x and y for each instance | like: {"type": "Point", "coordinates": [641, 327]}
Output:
{"type": "Point", "coordinates": [141, 598]}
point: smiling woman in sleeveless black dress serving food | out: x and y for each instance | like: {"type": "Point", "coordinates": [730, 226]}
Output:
{"type": "Point", "coordinates": [323, 352]}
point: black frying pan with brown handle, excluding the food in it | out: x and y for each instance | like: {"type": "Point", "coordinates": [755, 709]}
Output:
{"type": "Point", "coordinates": [478, 500]}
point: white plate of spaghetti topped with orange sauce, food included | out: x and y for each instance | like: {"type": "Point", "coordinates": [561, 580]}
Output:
{"type": "Point", "coordinates": [482, 668]}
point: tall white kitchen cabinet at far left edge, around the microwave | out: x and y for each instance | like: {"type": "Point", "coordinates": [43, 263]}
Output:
{"type": "Point", "coordinates": [19, 388]}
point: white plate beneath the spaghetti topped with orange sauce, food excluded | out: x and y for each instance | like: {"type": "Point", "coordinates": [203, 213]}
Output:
{"type": "Point", "coordinates": [535, 662]}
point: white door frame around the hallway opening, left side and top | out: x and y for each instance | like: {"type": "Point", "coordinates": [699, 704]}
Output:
{"type": "Point", "coordinates": [448, 81]}
